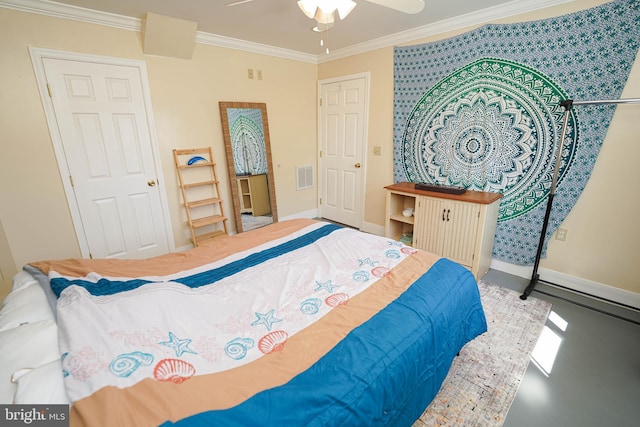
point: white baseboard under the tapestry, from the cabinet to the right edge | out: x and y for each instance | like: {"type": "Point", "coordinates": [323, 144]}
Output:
{"type": "Point", "coordinates": [574, 283]}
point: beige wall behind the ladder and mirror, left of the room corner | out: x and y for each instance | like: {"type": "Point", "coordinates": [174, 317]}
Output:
{"type": "Point", "coordinates": [185, 96]}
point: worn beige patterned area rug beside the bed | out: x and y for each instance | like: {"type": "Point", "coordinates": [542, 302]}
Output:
{"type": "Point", "coordinates": [485, 377]}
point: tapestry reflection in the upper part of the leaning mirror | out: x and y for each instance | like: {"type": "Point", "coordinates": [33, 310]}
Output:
{"type": "Point", "coordinates": [247, 141]}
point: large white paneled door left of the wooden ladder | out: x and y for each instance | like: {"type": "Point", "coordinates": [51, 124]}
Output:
{"type": "Point", "coordinates": [104, 131]}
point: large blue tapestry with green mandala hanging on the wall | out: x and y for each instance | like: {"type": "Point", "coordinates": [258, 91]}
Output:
{"type": "Point", "coordinates": [482, 111]}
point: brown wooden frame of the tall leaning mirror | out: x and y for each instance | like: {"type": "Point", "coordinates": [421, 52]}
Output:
{"type": "Point", "coordinates": [224, 106]}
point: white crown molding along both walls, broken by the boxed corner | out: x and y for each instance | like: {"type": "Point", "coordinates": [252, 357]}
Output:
{"type": "Point", "coordinates": [515, 7]}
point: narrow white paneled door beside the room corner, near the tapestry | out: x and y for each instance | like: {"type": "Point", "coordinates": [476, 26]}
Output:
{"type": "Point", "coordinates": [342, 135]}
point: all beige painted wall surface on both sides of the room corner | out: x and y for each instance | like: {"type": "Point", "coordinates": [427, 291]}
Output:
{"type": "Point", "coordinates": [603, 229]}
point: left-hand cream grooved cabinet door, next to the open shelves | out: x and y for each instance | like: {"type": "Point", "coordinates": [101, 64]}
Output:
{"type": "Point", "coordinates": [429, 230]}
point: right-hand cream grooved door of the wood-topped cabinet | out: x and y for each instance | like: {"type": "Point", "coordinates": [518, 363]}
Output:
{"type": "Point", "coordinates": [461, 230]}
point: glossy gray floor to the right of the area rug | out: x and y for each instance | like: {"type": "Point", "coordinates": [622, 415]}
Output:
{"type": "Point", "coordinates": [595, 377]}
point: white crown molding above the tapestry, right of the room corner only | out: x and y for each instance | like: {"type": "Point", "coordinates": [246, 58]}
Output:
{"type": "Point", "coordinates": [481, 17]}
